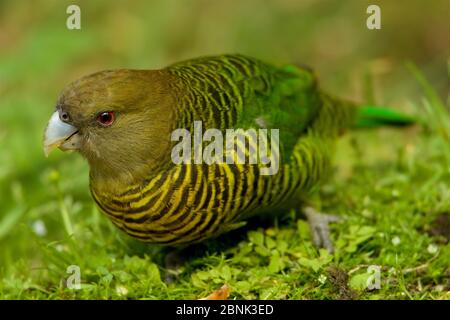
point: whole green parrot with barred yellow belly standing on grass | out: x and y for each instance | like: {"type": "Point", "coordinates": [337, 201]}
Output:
{"type": "Point", "coordinates": [122, 122]}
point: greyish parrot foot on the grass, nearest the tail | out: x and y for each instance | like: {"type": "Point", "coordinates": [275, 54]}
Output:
{"type": "Point", "coordinates": [320, 229]}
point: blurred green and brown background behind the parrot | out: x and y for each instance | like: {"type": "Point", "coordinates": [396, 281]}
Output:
{"type": "Point", "coordinates": [39, 56]}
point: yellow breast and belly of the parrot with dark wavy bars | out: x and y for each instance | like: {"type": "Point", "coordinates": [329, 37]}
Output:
{"type": "Point", "coordinates": [190, 203]}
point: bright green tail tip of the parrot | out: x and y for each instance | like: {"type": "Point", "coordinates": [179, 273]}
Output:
{"type": "Point", "coordinates": [374, 116]}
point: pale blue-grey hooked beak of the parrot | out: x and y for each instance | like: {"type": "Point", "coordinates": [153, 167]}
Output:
{"type": "Point", "coordinates": [60, 135]}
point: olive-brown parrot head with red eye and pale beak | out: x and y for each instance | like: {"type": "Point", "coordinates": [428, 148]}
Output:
{"type": "Point", "coordinates": [119, 120]}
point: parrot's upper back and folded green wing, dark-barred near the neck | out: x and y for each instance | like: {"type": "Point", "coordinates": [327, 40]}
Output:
{"type": "Point", "coordinates": [234, 91]}
